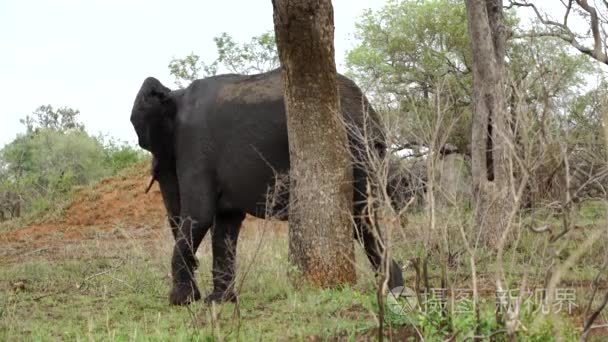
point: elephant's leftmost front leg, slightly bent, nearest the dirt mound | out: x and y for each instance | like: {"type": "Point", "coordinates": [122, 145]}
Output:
{"type": "Point", "coordinates": [198, 209]}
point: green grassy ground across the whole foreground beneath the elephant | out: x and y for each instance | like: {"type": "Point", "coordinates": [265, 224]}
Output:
{"type": "Point", "coordinates": [114, 285]}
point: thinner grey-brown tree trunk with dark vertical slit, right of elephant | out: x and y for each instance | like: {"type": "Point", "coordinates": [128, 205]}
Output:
{"type": "Point", "coordinates": [491, 132]}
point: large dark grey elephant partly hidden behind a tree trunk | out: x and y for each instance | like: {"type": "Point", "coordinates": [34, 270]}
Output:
{"type": "Point", "coordinates": [217, 147]}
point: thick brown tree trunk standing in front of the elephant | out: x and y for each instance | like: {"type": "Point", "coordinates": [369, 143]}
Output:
{"type": "Point", "coordinates": [320, 225]}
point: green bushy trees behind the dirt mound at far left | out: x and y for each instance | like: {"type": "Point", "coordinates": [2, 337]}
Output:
{"type": "Point", "coordinates": [55, 154]}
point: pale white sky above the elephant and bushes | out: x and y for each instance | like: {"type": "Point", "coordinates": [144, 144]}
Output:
{"type": "Point", "coordinates": [93, 55]}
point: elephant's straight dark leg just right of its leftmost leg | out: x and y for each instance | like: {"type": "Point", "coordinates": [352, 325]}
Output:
{"type": "Point", "coordinates": [224, 239]}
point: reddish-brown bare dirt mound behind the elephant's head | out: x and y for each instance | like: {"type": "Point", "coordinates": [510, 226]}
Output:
{"type": "Point", "coordinates": [107, 209]}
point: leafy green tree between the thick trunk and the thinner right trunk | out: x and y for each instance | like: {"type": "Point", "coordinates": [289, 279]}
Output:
{"type": "Point", "coordinates": [412, 55]}
